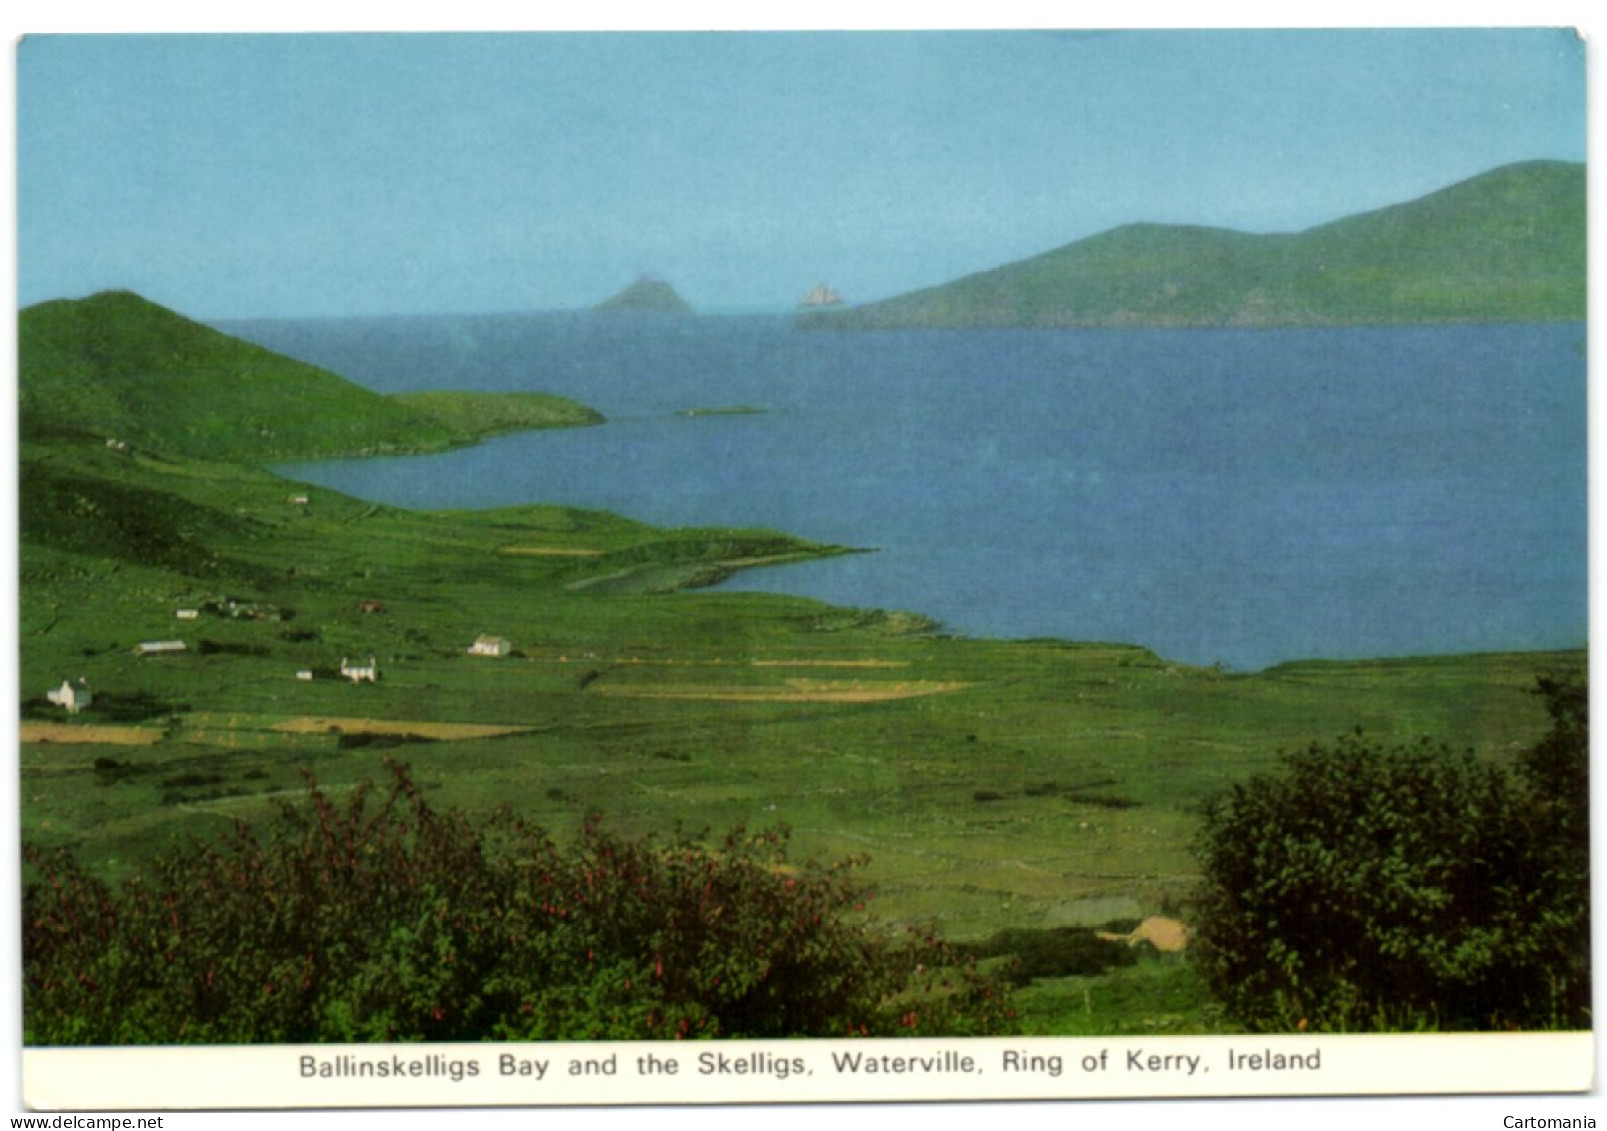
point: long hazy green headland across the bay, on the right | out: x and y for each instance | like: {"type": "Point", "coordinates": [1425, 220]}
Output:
{"type": "Point", "coordinates": [1505, 247]}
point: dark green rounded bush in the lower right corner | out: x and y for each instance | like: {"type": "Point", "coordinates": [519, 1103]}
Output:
{"type": "Point", "coordinates": [1373, 888]}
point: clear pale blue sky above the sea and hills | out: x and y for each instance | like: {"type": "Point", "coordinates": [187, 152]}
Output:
{"type": "Point", "coordinates": [282, 176]}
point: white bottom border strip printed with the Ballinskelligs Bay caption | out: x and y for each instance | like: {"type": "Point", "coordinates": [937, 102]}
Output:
{"type": "Point", "coordinates": [801, 1072]}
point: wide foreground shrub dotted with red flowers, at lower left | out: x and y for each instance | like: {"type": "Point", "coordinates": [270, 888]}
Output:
{"type": "Point", "coordinates": [395, 923]}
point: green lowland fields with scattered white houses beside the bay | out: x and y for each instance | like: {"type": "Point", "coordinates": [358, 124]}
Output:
{"type": "Point", "coordinates": [992, 785]}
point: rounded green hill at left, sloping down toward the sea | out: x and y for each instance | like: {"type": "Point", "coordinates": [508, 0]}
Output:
{"type": "Point", "coordinates": [125, 369]}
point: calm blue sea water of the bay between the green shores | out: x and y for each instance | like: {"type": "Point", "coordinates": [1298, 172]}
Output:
{"type": "Point", "coordinates": [1238, 497]}
